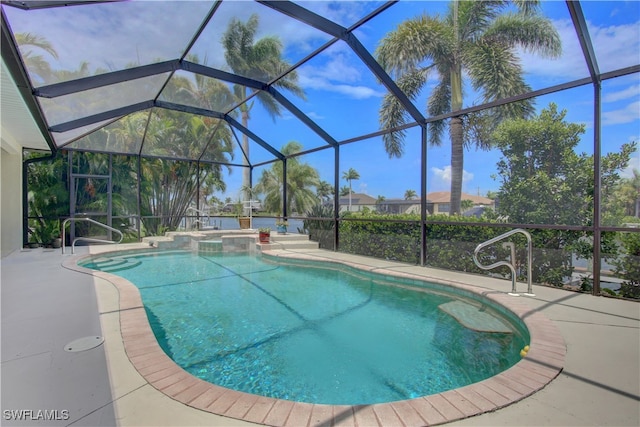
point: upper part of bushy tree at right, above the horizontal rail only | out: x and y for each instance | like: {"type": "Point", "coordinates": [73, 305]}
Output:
{"type": "Point", "coordinates": [544, 181]}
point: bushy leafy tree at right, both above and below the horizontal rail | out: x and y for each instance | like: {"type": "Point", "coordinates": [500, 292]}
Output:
{"type": "Point", "coordinates": [544, 181]}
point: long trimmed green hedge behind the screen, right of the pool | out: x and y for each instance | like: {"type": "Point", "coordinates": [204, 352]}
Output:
{"type": "Point", "coordinates": [451, 246]}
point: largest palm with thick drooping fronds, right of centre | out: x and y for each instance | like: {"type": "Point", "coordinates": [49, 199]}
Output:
{"type": "Point", "coordinates": [473, 39]}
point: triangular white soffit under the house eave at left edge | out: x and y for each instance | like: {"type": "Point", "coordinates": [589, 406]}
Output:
{"type": "Point", "coordinates": [18, 129]}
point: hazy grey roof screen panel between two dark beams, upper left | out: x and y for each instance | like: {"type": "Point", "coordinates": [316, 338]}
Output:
{"type": "Point", "coordinates": [70, 107]}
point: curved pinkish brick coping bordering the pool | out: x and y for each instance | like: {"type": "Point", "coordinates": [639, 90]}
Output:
{"type": "Point", "coordinates": [544, 361]}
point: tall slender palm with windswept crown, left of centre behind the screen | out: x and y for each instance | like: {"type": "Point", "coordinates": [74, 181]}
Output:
{"type": "Point", "coordinates": [261, 60]}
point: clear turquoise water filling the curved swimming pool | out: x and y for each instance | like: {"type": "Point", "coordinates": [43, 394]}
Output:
{"type": "Point", "coordinates": [311, 334]}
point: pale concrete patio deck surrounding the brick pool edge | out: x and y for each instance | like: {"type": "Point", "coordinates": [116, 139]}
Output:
{"type": "Point", "coordinates": [45, 306]}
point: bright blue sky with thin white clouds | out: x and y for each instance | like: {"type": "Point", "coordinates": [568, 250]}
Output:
{"type": "Point", "coordinates": [341, 94]}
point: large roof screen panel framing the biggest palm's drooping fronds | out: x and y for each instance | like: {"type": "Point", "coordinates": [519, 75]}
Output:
{"type": "Point", "coordinates": [485, 66]}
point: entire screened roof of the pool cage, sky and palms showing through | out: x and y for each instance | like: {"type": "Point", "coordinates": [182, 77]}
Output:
{"type": "Point", "coordinates": [98, 61]}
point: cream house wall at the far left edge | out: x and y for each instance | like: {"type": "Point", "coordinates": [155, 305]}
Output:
{"type": "Point", "coordinates": [10, 200]}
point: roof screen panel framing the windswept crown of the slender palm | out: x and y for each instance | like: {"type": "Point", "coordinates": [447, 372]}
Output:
{"type": "Point", "coordinates": [267, 35]}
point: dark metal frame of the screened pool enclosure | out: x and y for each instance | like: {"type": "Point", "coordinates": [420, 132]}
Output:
{"type": "Point", "coordinates": [338, 33]}
